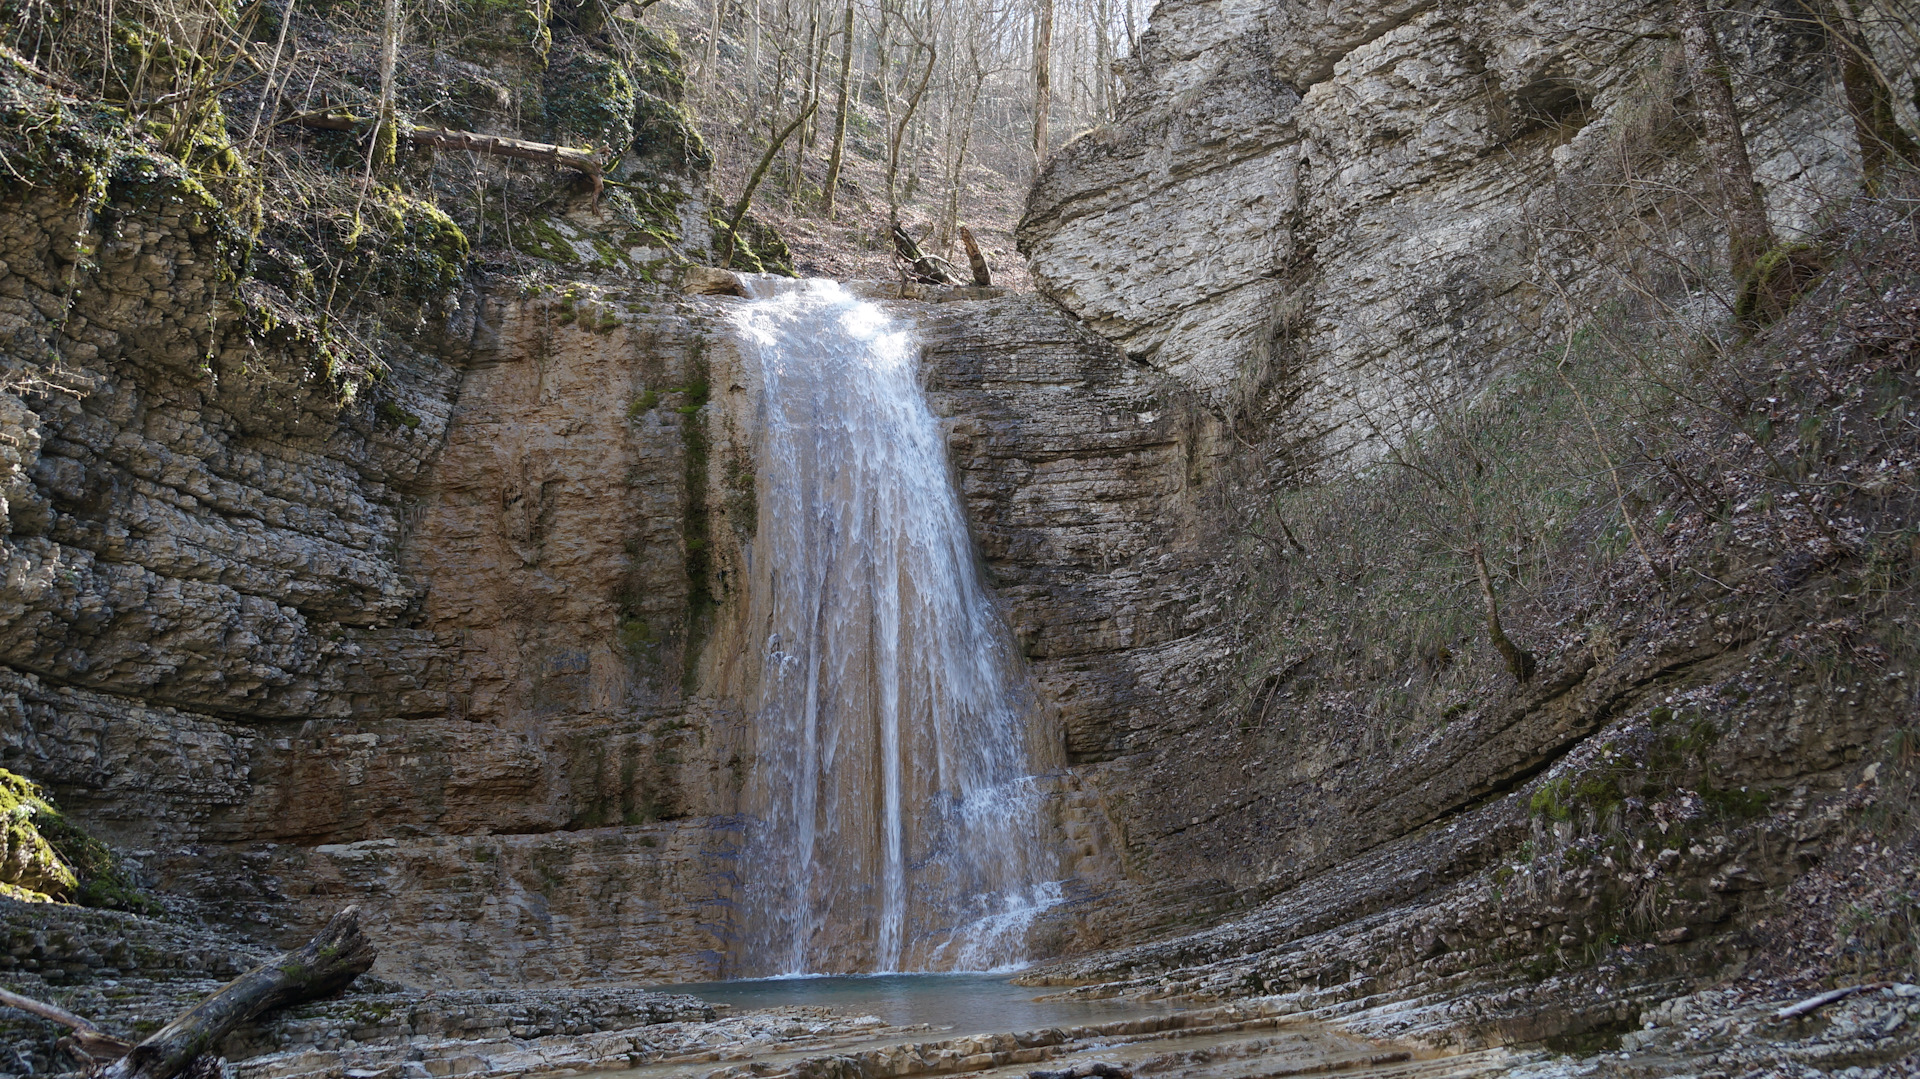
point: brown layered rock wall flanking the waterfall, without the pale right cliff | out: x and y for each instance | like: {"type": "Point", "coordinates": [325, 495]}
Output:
{"type": "Point", "coordinates": [458, 650]}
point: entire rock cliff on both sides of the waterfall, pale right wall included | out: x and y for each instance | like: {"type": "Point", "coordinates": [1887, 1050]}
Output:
{"type": "Point", "coordinates": [1366, 329]}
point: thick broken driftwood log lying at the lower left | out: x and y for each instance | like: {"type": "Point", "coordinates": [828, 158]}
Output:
{"type": "Point", "coordinates": [322, 969]}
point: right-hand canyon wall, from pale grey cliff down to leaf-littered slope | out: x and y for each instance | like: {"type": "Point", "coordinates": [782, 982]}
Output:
{"type": "Point", "coordinates": [1389, 247]}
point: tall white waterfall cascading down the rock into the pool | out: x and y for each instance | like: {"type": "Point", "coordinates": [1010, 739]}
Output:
{"type": "Point", "coordinates": [896, 819]}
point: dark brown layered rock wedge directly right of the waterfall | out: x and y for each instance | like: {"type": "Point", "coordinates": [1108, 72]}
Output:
{"type": "Point", "coordinates": [1080, 473]}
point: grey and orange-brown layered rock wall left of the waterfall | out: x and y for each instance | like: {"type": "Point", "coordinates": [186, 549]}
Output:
{"type": "Point", "coordinates": [306, 677]}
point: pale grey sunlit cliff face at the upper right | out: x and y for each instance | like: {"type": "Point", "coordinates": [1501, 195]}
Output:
{"type": "Point", "coordinates": [1324, 216]}
